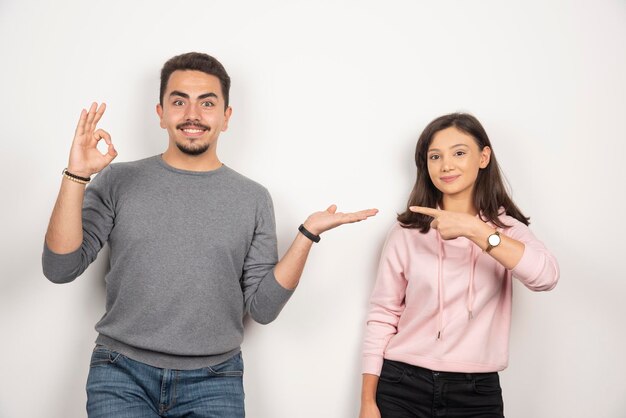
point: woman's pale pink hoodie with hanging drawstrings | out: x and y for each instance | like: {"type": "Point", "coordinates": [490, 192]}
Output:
{"type": "Point", "coordinates": [446, 305]}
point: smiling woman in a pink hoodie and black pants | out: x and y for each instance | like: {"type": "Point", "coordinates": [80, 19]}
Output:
{"type": "Point", "coordinates": [440, 312]}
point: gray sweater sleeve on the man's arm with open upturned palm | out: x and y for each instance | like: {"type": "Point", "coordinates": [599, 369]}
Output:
{"type": "Point", "coordinates": [264, 297]}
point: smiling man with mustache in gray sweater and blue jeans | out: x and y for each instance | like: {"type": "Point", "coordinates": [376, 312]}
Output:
{"type": "Point", "coordinates": [193, 249]}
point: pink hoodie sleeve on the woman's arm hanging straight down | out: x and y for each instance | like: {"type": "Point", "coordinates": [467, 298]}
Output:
{"type": "Point", "coordinates": [386, 301]}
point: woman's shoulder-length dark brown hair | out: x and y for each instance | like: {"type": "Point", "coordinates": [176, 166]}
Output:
{"type": "Point", "coordinates": [490, 193]}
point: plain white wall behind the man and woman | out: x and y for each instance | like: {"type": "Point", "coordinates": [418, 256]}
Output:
{"type": "Point", "coordinates": [329, 98]}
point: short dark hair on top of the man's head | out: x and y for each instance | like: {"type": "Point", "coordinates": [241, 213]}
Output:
{"type": "Point", "coordinates": [195, 61]}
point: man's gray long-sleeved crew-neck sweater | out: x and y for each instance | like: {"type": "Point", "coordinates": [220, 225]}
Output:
{"type": "Point", "coordinates": [191, 254]}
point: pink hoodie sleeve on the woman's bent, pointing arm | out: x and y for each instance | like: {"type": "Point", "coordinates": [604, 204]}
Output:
{"type": "Point", "coordinates": [538, 269]}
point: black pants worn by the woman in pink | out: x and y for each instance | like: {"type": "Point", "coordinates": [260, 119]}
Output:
{"type": "Point", "coordinates": [406, 391]}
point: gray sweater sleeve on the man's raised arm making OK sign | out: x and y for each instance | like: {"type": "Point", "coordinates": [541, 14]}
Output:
{"type": "Point", "coordinates": [98, 217]}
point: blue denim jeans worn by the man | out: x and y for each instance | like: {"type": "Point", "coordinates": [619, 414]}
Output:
{"type": "Point", "coordinates": [123, 388]}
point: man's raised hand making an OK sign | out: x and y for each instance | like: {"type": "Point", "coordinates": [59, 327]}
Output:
{"type": "Point", "coordinates": [85, 158]}
